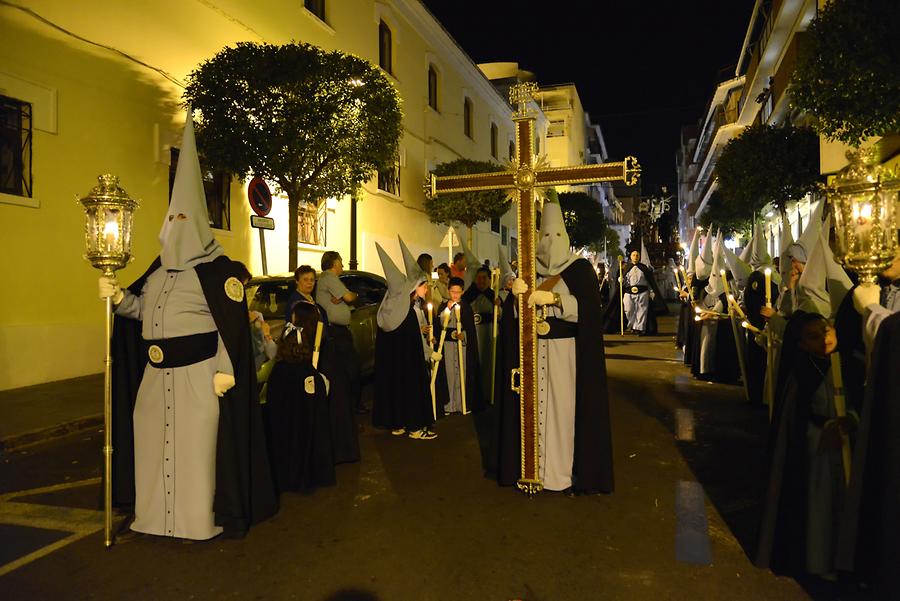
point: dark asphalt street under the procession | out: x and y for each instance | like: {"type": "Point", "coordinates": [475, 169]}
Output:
{"type": "Point", "coordinates": [417, 520]}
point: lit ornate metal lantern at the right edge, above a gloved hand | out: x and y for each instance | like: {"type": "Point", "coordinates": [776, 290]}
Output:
{"type": "Point", "coordinates": [864, 197]}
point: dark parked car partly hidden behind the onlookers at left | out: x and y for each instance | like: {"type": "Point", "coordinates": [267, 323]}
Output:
{"type": "Point", "coordinates": [269, 295]}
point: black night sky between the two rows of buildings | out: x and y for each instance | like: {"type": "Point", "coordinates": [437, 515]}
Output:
{"type": "Point", "coordinates": [642, 69]}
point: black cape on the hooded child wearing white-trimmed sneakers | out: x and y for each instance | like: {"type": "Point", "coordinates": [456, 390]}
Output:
{"type": "Point", "coordinates": [402, 380]}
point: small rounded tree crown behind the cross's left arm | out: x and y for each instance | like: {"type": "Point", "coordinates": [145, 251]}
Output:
{"type": "Point", "coordinates": [467, 208]}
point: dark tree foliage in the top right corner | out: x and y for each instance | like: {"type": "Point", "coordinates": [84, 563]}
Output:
{"type": "Point", "coordinates": [848, 79]}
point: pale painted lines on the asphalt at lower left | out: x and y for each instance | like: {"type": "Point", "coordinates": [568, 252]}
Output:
{"type": "Point", "coordinates": [80, 522]}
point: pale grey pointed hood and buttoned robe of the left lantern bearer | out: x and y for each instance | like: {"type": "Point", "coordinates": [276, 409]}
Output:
{"type": "Point", "coordinates": [176, 415]}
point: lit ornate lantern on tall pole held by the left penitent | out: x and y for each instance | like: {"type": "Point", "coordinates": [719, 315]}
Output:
{"type": "Point", "coordinates": [108, 220]}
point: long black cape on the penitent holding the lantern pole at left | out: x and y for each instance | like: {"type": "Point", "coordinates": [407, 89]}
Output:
{"type": "Point", "coordinates": [245, 492]}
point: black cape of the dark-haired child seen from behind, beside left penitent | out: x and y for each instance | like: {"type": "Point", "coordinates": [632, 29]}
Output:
{"type": "Point", "coordinates": [299, 428]}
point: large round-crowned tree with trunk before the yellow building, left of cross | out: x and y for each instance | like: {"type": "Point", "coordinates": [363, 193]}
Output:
{"type": "Point", "coordinates": [316, 123]}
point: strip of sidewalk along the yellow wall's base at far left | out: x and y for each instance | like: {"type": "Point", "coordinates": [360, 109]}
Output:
{"type": "Point", "coordinates": [45, 411]}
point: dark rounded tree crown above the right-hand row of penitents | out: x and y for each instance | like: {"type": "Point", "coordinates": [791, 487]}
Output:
{"type": "Point", "coordinates": [766, 163]}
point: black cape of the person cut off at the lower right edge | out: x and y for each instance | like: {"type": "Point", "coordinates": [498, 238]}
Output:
{"type": "Point", "coordinates": [870, 534]}
